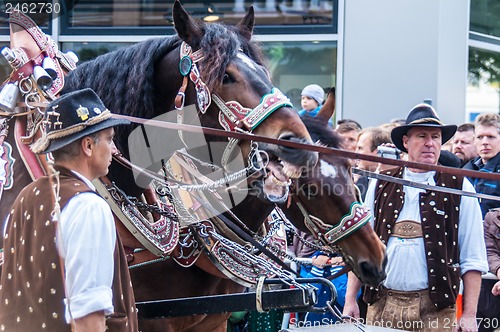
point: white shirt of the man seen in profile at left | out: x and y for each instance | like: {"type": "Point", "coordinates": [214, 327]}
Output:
{"type": "Point", "coordinates": [88, 236]}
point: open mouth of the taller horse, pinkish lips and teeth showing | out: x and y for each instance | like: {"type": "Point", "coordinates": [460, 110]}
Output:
{"type": "Point", "coordinates": [276, 180]}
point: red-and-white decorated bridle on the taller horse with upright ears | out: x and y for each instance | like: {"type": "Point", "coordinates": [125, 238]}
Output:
{"type": "Point", "coordinates": [233, 117]}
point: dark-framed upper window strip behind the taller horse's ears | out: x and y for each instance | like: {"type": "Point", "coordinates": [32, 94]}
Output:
{"type": "Point", "coordinates": [149, 15]}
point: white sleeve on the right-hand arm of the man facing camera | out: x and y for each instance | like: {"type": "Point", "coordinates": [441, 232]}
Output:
{"type": "Point", "coordinates": [470, 233]}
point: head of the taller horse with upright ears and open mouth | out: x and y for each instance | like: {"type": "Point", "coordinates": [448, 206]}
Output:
{"type": "Point", "coordinates": [225, 78]}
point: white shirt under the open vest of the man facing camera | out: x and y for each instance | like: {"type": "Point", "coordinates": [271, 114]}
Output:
{"type": "Point", "coordinates": [406, 264]}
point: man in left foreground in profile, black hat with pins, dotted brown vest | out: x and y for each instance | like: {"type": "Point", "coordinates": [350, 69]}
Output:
{"type": "Point", "coordinates": [65, 269]}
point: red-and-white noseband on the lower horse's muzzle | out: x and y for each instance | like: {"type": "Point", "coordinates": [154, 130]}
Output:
{"type": "Point", "coordinates": [356, 218]}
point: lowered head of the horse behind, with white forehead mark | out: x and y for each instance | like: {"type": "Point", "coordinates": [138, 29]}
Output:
{"type": "Point", "coordinates": [331, 211]}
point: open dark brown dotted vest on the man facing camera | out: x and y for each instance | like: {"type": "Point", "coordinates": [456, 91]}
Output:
{"type": "Point", "coordinates": [439, 213]}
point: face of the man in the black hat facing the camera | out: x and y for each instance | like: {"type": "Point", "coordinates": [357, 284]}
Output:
{"type": "Point", "coordinates": [423, 145]}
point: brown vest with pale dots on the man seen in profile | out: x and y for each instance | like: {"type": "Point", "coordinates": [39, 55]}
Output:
{"type": "Point", "coordinates": [32, 292]}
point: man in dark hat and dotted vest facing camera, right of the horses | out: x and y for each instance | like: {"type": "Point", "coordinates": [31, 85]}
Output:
{"type": "Point", "coordinates": [434, 239]}
